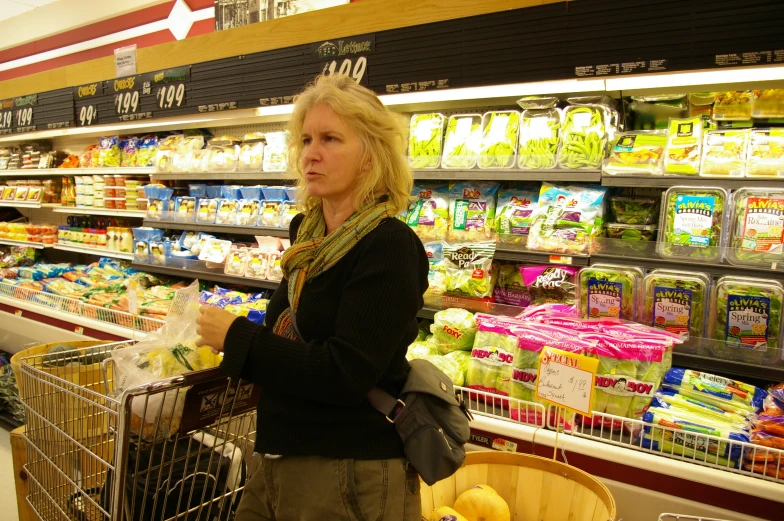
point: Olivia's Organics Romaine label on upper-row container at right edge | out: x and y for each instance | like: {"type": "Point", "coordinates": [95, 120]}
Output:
{"type": "Point", "coordinates": [763, 225]}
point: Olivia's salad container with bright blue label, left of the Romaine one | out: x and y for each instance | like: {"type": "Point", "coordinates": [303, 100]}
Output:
{"type": "Point", "coordinates": [692, 223]}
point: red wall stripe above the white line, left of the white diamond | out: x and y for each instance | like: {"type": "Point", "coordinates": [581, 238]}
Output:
{"type": "Point", "coordinates": [89, 32]}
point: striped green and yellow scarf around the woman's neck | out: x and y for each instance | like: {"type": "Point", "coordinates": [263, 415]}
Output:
{"type": "Point", "coordinates": [313, 253]}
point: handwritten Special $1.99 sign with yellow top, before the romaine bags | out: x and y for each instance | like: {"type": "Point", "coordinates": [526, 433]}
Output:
{"type": "Point", "coordinates": [567, 380]}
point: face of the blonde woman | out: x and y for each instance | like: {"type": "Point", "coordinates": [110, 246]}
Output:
{"type": "Point", "coordinates": [331, 155]}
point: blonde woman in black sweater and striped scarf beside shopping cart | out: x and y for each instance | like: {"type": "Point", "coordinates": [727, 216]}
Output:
{"type": "Point", "coordinates": [339, 324]}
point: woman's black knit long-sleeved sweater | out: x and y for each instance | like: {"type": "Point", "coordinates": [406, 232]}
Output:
{"type": "Point", "coordinates": [358, 319]}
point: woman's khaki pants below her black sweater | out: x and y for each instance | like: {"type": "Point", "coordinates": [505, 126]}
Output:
{"type": "Point", "coordinates": [311, 488]}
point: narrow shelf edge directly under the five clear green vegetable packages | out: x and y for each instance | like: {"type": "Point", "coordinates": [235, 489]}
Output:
{"type": "Point", "coordinates": [581, 176]}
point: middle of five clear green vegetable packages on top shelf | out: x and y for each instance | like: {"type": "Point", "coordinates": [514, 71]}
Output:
{"type": "Point", "coordinates": [498, 148]}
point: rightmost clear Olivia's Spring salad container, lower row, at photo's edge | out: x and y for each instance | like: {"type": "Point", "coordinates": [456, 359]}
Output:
{"type": "Point", "coordinates": [746, 313]}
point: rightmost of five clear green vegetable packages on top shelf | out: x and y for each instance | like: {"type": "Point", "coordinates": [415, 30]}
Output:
{"type": "Point", "coordinates": [584, 137]}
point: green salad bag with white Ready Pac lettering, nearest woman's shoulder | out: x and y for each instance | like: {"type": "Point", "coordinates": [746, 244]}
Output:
{"type": "Point", "coordinates": [468, 270]}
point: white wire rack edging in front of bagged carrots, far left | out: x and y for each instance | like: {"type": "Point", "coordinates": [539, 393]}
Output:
{"type": "Point", "coordinates": [81, 309]}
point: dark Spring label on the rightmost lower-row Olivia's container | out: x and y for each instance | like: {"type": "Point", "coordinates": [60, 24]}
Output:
{"type": "Point", "coordinates": [747, 321]}
